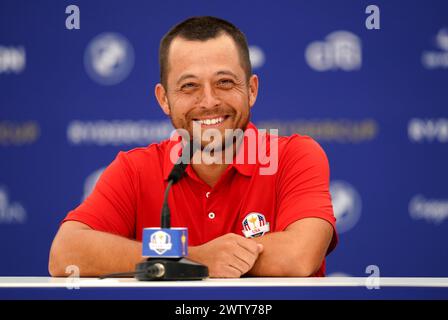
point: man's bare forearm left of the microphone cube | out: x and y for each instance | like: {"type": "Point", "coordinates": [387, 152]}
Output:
{"type": "Point", "coordinates": [95, 253]}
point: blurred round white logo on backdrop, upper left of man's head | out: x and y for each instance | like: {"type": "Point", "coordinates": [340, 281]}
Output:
{"type": "Point", "coordinates": [109, 58]}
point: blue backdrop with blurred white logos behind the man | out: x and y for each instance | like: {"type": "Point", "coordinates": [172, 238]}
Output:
{"type": "Point", "coordinates": [376, 100]}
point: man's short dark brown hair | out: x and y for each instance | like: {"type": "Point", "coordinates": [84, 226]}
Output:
{"type": "Point", "coordinates": [202, 29]}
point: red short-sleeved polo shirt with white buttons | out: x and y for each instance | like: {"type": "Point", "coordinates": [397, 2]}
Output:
{"type": "Point", "coordinates": [128, 196]}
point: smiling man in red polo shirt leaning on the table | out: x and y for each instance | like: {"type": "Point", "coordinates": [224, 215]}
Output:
{"type": "Point", "coordinates": [246, 217]}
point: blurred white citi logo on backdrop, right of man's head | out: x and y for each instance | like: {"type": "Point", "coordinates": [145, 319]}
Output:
{"type": "Point", "coordinates": [341, 50]}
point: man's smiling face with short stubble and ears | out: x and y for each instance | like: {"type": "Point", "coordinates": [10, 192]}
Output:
{"type": "Point", "coordinates": [206, 83]}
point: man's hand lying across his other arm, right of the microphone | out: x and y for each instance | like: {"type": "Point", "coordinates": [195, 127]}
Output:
{"type": "Point", "coordinates": [228, 256]}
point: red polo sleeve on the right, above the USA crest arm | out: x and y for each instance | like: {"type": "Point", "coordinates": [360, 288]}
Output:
{"type": "Point", "coordinates": [303, 185]}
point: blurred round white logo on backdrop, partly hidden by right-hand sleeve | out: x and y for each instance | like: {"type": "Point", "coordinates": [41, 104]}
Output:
{"type": "Point", "coordinates": [346, 205]}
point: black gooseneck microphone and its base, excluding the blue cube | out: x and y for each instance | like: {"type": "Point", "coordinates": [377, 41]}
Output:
{"type": "Point", "coordinates": [172, 268]}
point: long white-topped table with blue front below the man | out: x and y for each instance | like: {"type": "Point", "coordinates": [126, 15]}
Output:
{"type": "Point", "coordinates": [244, 288]}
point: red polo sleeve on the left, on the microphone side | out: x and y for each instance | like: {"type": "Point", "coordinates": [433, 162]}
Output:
{"type": "Point", "coordinates": [111, 207]}
